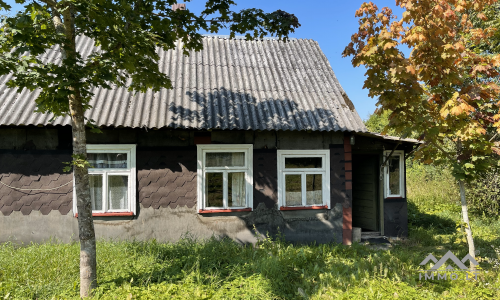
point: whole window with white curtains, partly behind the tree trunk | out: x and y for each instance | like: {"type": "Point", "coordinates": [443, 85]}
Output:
{"type": "Point", "coordinates": [112, 178]}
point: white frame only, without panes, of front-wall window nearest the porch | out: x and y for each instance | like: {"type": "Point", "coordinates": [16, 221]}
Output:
{"type": "Point", "coordinates": [324, 170]}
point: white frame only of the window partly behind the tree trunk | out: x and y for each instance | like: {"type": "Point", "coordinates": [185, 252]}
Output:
{"type": "Point", "coordinates": [131, 172]}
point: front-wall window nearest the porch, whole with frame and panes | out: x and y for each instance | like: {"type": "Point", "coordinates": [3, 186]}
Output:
{"type": "Point", "coordinates": [303, 178]}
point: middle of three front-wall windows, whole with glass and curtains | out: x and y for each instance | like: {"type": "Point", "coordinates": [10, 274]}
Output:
{"type": "Point", "coordinates": [225, 180]}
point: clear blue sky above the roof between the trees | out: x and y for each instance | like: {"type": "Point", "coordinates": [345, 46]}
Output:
{"type": "Point", "coordinates": [331, 23]}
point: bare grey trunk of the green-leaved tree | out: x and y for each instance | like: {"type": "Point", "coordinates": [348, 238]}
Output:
{"type": "Point", "coordinates": [88, 264]}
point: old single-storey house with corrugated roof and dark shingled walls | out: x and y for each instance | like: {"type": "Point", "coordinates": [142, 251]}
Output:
{"type": "Point", "coordinates": [254, 137]}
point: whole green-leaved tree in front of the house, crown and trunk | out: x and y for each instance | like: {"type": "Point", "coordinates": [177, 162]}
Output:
{"type": "Point", "coordinates": [128, 34]}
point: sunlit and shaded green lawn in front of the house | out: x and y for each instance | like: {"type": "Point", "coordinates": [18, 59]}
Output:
{"type": "Point", "coordinates": [273, 270]}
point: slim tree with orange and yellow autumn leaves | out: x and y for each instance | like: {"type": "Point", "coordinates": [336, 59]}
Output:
{"type": "Point", "coordinates": [443, 90]}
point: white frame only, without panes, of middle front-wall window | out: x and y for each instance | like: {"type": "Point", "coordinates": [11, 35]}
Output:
{"type": "Point", "coordinates": [202, 150]}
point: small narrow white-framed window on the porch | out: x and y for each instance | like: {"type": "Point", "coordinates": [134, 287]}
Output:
{"type": "Point", "coordinates": [394, 174]}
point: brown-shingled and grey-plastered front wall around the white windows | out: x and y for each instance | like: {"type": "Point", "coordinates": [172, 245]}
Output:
{"type": "Point", "coordinates": [166, 193]}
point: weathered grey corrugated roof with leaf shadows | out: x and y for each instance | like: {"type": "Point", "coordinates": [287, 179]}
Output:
{"type": "Point", "coordinates": [230, 84]}
